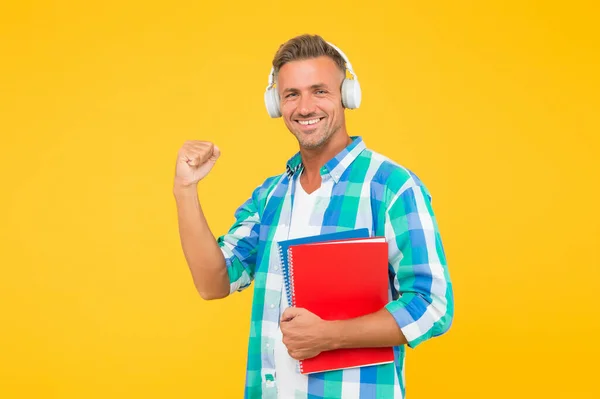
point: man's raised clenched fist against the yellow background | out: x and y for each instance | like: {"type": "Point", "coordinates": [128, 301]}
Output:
{"type": "Point", "coordinates": [194, 160]}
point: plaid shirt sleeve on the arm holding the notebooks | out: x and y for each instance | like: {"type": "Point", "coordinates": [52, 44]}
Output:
{"type": "Point", "coordinates": [424, 307]}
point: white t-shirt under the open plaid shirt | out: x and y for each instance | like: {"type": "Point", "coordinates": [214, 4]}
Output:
{"type": "Point", "coordinates": [286, 373]}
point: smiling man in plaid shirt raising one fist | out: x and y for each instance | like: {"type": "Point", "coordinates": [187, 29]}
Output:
{"type": "Point", "coordinates": [332, 171]}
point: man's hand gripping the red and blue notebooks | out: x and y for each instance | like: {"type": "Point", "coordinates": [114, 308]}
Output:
{"type": "Point", "coordinates": [305, 334]}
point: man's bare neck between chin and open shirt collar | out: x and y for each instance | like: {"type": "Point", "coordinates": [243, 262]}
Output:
{"type": "Point", "coordinates": [314, 160]}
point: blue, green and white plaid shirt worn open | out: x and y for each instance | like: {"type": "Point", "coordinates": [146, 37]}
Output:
{"type": "Point", "coordinates": [360, 188]}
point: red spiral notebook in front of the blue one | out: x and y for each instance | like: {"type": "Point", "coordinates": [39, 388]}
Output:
{"type": "Point", "coordinates": [339, 280]}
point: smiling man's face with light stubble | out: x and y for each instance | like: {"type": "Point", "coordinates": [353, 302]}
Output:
{"type": "Point", "coordinates": [311, 103]}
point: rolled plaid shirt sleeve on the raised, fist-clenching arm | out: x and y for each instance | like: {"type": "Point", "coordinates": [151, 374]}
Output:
{"type": "Point", "coordinates": [240, 245]}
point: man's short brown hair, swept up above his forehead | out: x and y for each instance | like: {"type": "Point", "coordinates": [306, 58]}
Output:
{"type": "Point", "coordinates": [305, 47]}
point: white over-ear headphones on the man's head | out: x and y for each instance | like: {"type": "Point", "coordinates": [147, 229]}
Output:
{"type": "Point", "coordinates": [351, 93]}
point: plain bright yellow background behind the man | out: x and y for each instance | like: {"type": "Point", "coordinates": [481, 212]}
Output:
{"type": "Point", "coordinates": [493, 105]}
